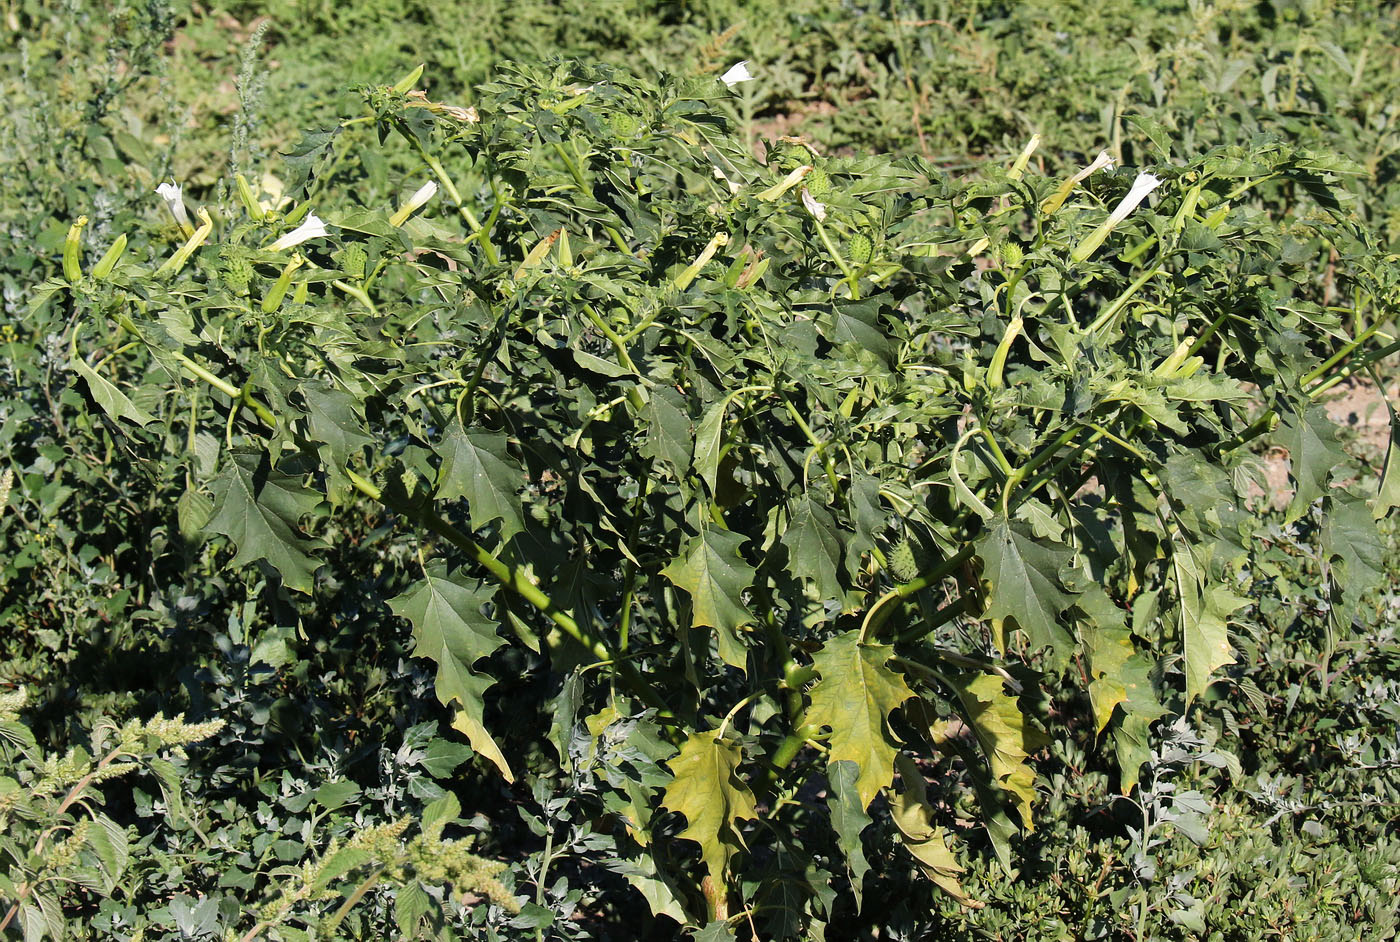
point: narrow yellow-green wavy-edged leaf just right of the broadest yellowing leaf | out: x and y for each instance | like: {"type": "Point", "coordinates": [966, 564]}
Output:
{"type": "Point", "coordinates": [1006, 736]}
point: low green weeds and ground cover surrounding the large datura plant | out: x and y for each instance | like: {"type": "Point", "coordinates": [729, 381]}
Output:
{"type": "Point", "coordinates": [1268, 813]}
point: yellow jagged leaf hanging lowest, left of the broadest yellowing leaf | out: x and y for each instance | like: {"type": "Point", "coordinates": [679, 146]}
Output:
{"type": "Point", "coordinates": [713, 799]}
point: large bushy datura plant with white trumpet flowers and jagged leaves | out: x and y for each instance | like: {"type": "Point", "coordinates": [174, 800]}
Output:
{"type": "Point", "coordinates": [803, 472]}
